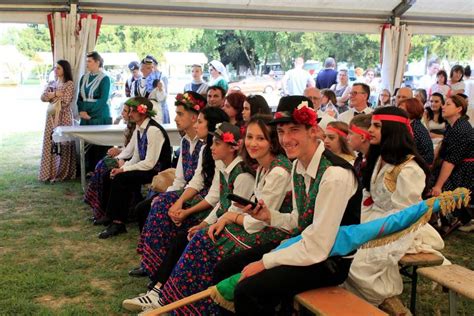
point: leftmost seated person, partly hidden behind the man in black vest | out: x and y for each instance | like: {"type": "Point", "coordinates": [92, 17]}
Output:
{"type": "Point", "coordinates": [115, 159]}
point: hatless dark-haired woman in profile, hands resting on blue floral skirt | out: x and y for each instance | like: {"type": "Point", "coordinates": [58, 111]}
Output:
{"type": "Point", "coordinates": [176, 211]}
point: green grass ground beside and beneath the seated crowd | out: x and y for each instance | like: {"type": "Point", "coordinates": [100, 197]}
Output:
{"type": "Point", "coordinates": [52, 263]}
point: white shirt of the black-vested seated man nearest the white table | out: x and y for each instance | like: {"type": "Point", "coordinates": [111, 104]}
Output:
{"type": "Point", "coordinates": [155, 139]}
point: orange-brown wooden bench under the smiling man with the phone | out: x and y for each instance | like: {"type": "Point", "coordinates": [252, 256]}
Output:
{"type": "Point", "coordinates": [335, 301]}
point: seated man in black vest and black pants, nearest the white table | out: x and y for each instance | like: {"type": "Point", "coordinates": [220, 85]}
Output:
{"type": "Point", "coordinates": [151, 154]}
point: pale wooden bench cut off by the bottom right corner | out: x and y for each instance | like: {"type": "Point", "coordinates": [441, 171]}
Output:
{"type": "Point", "coordinates": [457, 279]}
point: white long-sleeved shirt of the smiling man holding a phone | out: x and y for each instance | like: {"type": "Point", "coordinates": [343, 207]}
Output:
{"type": "Point", "coordinates": [337, 186]}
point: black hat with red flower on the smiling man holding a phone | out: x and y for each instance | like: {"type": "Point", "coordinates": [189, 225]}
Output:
{"type": "Point", "coordinates": [295, 109]}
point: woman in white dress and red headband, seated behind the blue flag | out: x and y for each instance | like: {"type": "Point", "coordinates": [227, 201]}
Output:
{"type": "Point", "coordinates": [395, 178]}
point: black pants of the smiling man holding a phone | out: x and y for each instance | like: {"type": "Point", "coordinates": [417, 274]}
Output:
{"type": "Point", "coordinates": [260, 294]}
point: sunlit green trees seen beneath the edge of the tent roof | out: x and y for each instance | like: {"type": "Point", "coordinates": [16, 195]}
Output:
{"type": "Point", "coordinates": [249, 48]}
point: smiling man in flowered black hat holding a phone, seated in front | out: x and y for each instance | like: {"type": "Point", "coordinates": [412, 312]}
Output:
{"type": "Point", "coordinates": [325, 195]}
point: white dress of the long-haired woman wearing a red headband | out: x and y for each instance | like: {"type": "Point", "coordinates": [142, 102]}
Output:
{"type": "Point", "coordinates": [374, 273]}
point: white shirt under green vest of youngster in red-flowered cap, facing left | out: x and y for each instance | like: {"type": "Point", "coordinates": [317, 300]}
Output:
{"type": "Point", "coordinates": [243, 186]}
